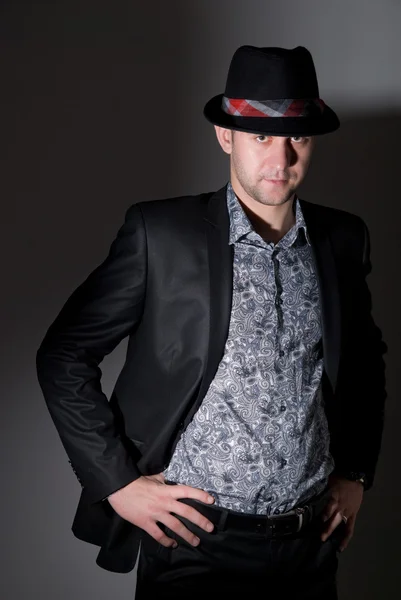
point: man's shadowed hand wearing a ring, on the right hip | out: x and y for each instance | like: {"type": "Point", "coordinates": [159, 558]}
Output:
{"type": "Point", "coordinates": [346, 499]}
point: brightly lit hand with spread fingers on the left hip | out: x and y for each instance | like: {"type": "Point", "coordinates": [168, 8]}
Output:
{"type": "Point", "coordinates": [149, 499]}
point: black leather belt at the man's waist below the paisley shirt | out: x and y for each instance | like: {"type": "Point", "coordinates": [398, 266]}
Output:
{"type": "Point", "coordinates": [289, 523]}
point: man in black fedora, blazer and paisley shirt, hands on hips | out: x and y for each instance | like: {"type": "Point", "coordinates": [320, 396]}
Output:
{"type": "Point", "coordinates": [247, 419]}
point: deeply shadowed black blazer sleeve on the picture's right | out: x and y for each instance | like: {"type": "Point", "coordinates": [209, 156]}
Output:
{"type": "Point", "coordinates": [362, 389]}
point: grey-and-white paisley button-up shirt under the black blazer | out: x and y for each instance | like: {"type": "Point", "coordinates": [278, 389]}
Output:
{"type": "Point", "coordinates": [259, 442]}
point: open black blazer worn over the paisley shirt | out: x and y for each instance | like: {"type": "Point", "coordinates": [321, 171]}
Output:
{"type": "Point", "coordinates": [167, 284]}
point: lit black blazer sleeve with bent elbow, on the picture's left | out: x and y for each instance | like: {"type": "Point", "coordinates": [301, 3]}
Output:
{"type": "Point", "coordinates": [103, 310]}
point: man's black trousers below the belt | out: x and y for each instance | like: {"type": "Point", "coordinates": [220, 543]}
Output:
{"type": "Point", "coordinates": [232, 564]}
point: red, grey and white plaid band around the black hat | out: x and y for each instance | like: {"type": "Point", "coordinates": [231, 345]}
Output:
{"type": "Point", "coordinates": [284, 107]}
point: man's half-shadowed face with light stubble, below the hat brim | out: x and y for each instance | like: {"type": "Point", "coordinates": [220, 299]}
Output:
{"type": "Point", "coordinates": [267, 168]}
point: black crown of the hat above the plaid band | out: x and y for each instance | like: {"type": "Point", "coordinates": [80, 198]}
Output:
{"type": "Point", "coordinates": [271, 73]}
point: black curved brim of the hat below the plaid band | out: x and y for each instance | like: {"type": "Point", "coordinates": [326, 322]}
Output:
{"type": "Point", "coordinates": [280, 126]}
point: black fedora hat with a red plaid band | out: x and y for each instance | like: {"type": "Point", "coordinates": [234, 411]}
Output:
{"type": "Point", "coordinates": [272, 91]}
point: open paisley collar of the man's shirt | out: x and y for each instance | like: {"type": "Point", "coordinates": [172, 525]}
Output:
{"type": "Point", "coordinates": [240, 225]}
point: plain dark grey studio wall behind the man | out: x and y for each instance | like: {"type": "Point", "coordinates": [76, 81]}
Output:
{"type": "Point", "coordinates": [101, 107]}
